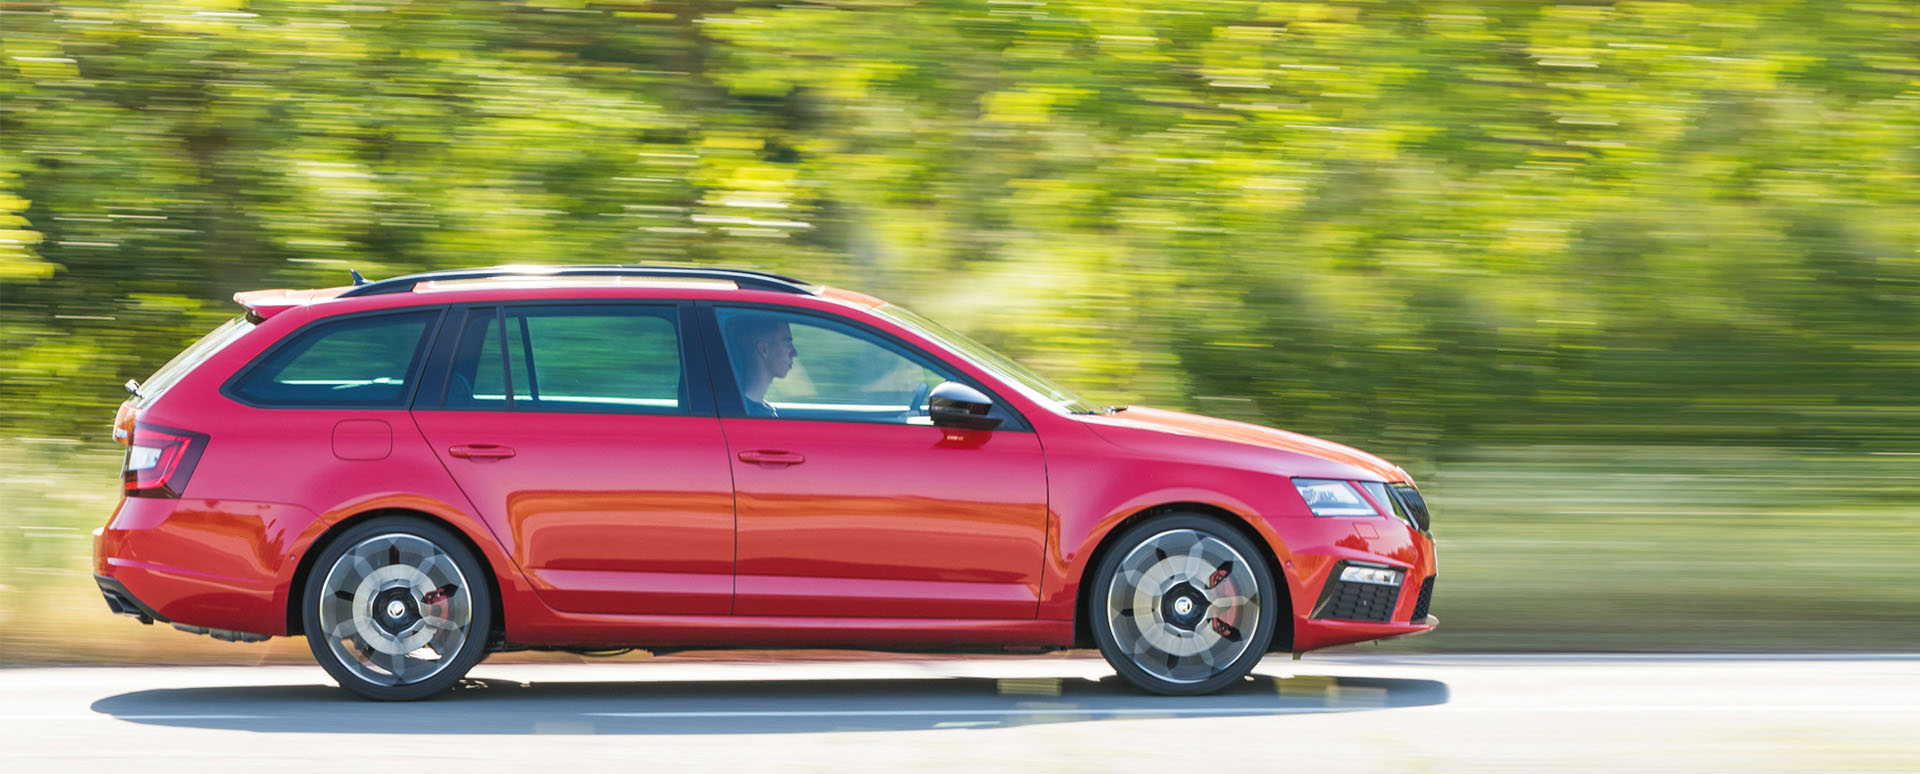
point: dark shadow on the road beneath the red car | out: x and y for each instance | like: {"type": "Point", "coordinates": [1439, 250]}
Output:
{"type": "Point", "coordinates": [752, 706]}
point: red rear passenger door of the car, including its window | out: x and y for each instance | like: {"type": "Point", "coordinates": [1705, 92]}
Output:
{"type": "Point", "coordinates": [592, 452]}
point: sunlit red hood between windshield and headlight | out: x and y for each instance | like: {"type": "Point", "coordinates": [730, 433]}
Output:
{"type": "Point", "coordinates": [1128, 427]}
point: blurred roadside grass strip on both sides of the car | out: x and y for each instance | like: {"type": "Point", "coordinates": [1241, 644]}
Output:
{"type": "Point", "coordinates": [1581, 548]}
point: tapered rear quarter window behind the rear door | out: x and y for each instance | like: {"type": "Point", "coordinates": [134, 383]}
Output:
{"type": "Point", "coordinates": [356, 362]}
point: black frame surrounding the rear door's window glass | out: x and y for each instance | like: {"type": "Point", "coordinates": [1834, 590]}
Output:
{"type": "Point", "coordinates": [677, 312]}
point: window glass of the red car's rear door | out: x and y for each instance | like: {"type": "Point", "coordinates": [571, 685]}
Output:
{"type": "Point", "coordinates": [592, 358]}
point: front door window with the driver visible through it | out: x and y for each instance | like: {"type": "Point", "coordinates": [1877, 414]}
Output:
{"type": "Point", "coordinates": [807, 368]}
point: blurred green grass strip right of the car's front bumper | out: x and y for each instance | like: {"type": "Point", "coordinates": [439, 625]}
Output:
{"type": "Point", "coordinates": [1675, 548]}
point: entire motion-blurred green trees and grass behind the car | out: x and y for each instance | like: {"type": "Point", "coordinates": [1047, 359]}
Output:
{"type": "Point", "coordinates": [1631, 287]}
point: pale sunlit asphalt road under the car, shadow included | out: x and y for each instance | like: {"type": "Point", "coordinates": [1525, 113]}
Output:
{"type": "Point", "coordinates": [1773, 714]}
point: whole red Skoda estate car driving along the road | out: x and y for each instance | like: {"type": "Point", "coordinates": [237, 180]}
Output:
{"type": "Point", "coordinates": [421, 472]}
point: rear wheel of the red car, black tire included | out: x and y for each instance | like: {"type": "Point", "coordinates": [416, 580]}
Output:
{"type": "Point", "coordinates": [408, 606]}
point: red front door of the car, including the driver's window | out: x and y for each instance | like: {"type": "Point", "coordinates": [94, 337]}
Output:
{"type": "Point", "coordinates": [848, 500]}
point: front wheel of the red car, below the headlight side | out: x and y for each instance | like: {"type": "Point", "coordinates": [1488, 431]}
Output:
{"type": "Point", "coordinates": [1195, 635]}
